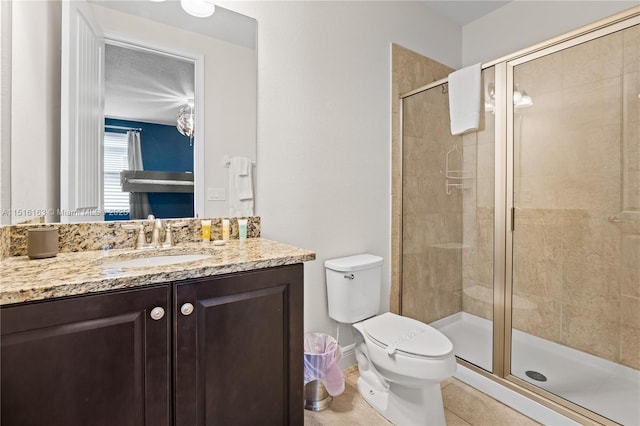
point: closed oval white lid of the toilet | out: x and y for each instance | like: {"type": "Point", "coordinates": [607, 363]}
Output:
{"type": "Point", "coordinates": [407, 335]}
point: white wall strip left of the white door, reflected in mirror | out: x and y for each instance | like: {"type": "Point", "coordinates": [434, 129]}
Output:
{"type": "Point", "coordinates": [35, 108]}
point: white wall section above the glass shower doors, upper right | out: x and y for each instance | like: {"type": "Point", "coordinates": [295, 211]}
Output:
{"type": "Point", "coordinates": [523, 23]}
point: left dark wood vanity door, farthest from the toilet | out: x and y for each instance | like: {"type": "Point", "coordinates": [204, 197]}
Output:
{"type": "Point", "coordinates": [88, 360]}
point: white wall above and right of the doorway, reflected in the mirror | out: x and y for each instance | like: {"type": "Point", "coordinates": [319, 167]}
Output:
{"type": "Point", "coordinates": [229, 91]}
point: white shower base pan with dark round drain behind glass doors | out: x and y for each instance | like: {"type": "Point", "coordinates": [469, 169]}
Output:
{"type": "Point", "coordinates": [609, 389]}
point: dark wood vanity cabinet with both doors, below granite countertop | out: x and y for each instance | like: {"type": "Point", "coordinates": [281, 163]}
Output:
{"type": "Point", "coordinates": [223, 350]}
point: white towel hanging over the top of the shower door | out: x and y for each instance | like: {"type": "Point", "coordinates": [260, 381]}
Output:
{"type": "Point", "coordinates": [464, 99]}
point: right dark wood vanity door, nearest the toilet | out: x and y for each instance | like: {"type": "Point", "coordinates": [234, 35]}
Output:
{"type": "Point", "coordinates": [239, 353]}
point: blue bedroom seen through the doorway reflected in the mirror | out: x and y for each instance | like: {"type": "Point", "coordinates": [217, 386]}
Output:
{"type": "Point", "coordinates": [148, 162]}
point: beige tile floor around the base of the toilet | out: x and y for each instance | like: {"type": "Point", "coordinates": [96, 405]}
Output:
{"type": "Point", "coordinates": [463, 405]}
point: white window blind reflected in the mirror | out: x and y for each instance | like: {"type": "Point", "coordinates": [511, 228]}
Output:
{"type": "Point", "coordinates": [115, 160]}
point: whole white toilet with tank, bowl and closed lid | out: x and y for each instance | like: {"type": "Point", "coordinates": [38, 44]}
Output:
{"type": "Point", "coordinates": [401, 361]}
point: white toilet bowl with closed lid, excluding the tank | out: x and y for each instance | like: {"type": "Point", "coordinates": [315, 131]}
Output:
{"type": "Point", "coordinates": [401, 363]}
